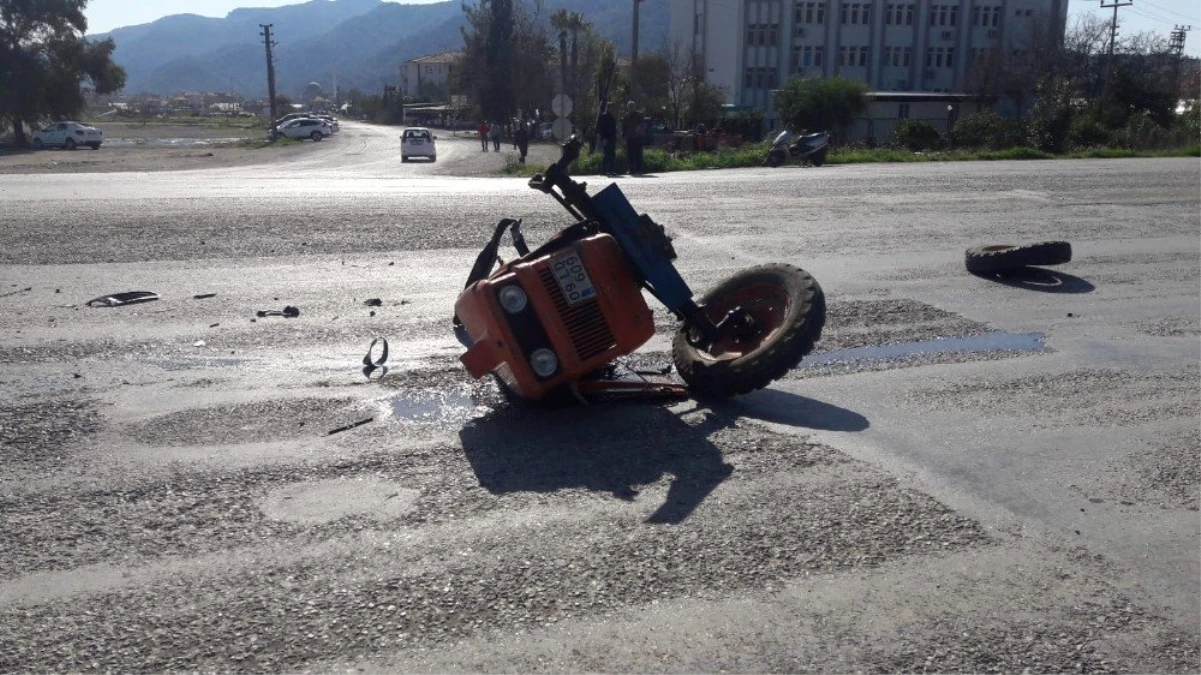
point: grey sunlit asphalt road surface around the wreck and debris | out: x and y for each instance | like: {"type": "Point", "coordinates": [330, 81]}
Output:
{"type": "Point", "coordinates": [969, 475]}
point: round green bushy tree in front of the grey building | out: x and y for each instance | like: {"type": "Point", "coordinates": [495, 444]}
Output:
{"type": "Point", "coordinates": [822, 104]}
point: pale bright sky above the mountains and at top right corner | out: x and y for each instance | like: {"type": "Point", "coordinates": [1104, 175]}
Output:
{"type": "Point", "coordinates": [1157, 16]}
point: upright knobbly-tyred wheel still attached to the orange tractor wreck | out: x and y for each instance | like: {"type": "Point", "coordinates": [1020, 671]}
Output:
{"type": "Point", "coordinates": [790, 309]}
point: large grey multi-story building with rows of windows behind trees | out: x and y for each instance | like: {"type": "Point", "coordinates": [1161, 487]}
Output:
{"type": "Point", "coordinates": [751, 47]}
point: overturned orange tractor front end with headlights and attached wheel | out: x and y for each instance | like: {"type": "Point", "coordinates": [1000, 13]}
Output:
{"type": "Point", "coordinates": [554, 319]}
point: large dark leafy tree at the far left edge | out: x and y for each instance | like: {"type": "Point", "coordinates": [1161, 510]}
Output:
{"type": "Point", "coordinates": [45, 63]}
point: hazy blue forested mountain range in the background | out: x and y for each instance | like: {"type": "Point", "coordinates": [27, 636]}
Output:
{"type": "Point", "coordinates": [355, 44]}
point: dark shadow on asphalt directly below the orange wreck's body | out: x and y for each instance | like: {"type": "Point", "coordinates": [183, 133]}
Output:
{"type": "Point", "coordinates": [607, 449]}
